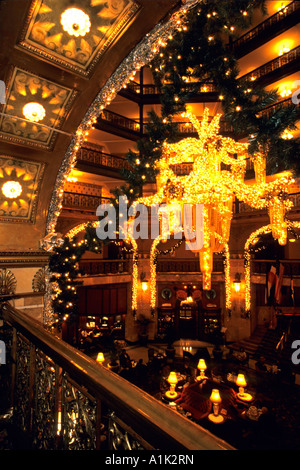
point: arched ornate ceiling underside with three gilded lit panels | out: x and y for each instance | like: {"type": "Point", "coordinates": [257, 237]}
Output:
{"type": "Point", "coordinates": [57, 63]}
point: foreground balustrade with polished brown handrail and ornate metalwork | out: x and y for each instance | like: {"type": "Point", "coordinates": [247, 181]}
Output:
{"type": "Point", "coordinates": [63, 399]}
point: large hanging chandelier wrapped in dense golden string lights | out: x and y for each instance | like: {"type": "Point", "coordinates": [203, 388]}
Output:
{"type": "Point", "coordinates": [214, 187]}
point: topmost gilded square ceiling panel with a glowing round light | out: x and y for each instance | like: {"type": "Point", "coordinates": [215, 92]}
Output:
{"type": "Point", "coordinates": [45, 36]}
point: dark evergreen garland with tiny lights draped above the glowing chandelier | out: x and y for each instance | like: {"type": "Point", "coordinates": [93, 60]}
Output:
{"type": "Point", "coordinates": [201, 52]}
